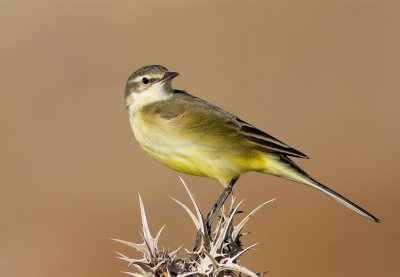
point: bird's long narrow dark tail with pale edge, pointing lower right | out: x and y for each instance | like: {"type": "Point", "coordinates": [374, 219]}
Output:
{"type": "Point", "coordinates": [296, 174]}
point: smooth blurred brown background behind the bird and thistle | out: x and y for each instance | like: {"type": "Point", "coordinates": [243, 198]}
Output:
{"type": "Point", "coordinates": [322, 77]}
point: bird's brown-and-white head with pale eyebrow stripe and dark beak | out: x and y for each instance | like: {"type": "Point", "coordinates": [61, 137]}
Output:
{"type": "Point", "coordinates": [148, 84]}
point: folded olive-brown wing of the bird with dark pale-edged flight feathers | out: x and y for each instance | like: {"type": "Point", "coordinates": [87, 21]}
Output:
{"type": "Point", "coordinates": [222, 123]}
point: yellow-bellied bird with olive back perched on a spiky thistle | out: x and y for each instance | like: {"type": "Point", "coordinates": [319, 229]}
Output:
{"type": "Point", "coordinates": [190, 135]}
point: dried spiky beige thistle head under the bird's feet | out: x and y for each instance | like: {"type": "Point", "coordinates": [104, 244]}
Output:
{"type": "Point", "coordinates": [216, 252]}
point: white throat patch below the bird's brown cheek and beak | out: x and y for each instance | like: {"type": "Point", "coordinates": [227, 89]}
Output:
{"type": "Point", "coordinates": [157, 92]}
